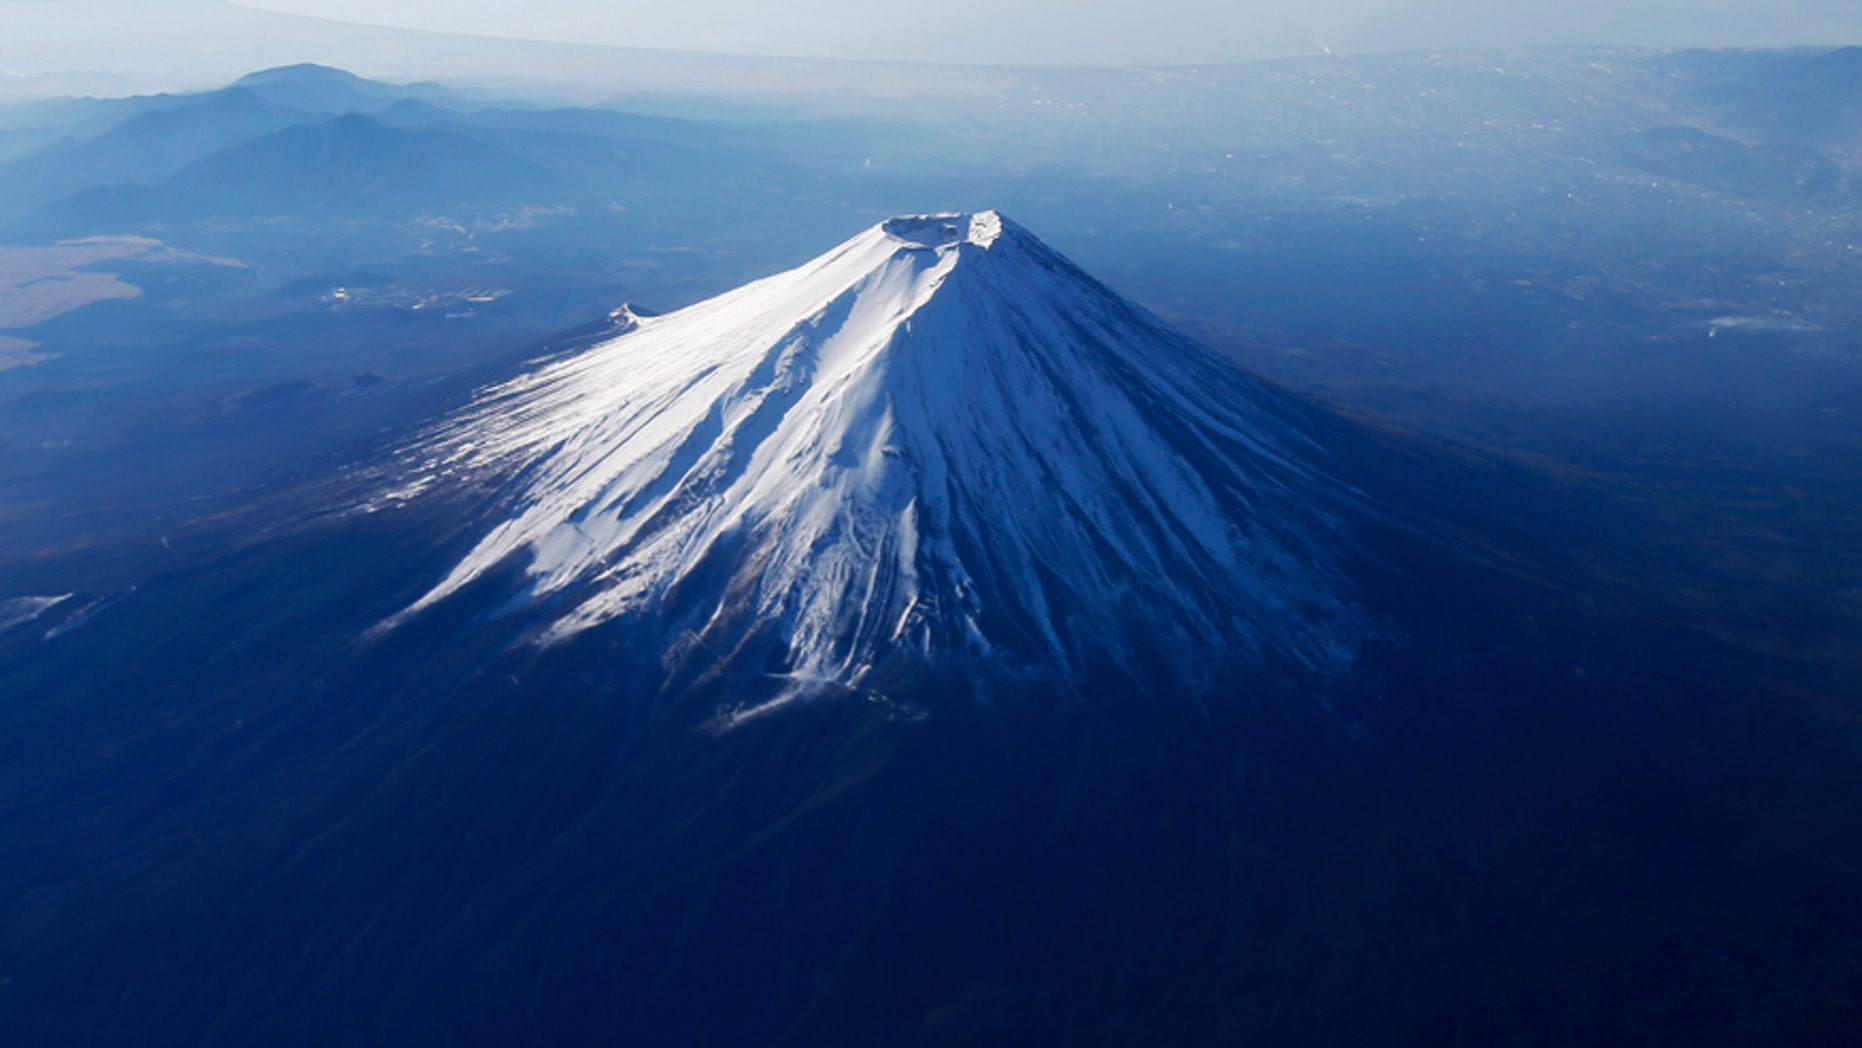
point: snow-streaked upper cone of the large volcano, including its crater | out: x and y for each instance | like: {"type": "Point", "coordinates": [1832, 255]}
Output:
{"type": "Point", "coordinates": [939, 442]}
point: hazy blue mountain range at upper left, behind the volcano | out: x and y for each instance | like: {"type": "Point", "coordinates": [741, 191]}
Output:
{"type": "Point", "coordinates": [321, 144]}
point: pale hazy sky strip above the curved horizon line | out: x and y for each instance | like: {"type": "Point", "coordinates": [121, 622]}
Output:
{"type": "Point", "coordinates": [1111, 31]}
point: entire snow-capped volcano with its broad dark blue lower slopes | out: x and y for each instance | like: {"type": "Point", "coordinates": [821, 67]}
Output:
{"type": "Point", "coordinates": [921, 647]}
